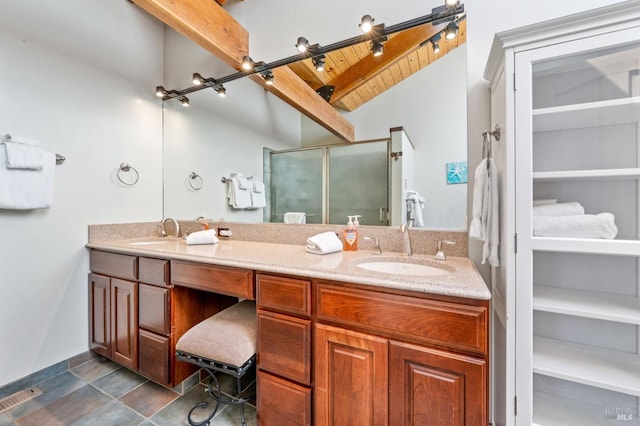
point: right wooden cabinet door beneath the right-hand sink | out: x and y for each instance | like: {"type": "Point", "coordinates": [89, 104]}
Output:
{"type": "Point", "coordinates": [433, 387]}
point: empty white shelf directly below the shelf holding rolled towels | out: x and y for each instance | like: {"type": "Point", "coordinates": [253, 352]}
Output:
{"type": "Point", "coordinates": [603, 306]}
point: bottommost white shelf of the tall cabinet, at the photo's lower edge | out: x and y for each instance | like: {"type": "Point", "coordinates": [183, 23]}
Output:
{"type": "Point", "coordinates": [552, 410]}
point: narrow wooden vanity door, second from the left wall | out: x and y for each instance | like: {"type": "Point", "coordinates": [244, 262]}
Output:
{"type": "Point", "coordinates": [124, 323]}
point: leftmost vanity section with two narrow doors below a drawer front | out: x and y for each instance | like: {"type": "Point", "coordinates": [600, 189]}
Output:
{"type": "Point", "coordinates": [113, 307]}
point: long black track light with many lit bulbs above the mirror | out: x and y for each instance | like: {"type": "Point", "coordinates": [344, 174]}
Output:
{"type": "Point", "coordinates": [378, 35]}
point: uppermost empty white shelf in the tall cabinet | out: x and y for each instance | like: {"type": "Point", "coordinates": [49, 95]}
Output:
{"type": "Point", "coordinates": [591, 114]}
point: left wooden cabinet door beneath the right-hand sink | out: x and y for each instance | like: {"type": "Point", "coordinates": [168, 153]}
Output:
{"type": "Point", "coordinates": [351, 378]}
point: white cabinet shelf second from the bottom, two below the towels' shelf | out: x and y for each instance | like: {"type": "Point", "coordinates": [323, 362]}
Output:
{"type": "Point", "coordinates": [603, 368]}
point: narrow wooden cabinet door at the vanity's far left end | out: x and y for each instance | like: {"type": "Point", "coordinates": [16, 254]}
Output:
{"type": "Point", "coordinates": [99, 314]}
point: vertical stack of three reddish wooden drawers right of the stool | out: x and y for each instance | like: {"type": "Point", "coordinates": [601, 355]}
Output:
{"type": "Point", "coordinates": [284, 350]}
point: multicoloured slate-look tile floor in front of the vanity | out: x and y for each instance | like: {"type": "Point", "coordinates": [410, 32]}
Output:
{"type": "Point", "coordinates": [100, 392]}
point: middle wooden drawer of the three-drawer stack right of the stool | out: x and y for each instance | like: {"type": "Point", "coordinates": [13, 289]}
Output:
{"type": "Point", "coordinates": [284, 346]}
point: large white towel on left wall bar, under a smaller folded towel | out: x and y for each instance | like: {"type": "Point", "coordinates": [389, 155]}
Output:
{"type": "Point", "coordinates": [27, 189]}
